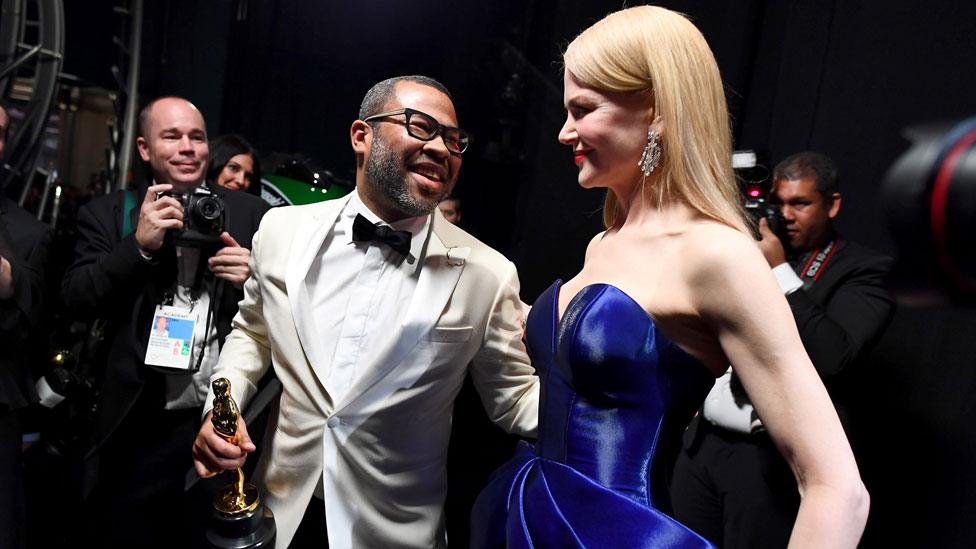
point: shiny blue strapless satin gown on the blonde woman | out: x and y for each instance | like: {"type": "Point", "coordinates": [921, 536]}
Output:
{"type": "Point", "coordinates": [616, 394]}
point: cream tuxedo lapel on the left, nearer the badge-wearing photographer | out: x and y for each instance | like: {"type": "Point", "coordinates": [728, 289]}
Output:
{"type": "Point", "coordinates": [308, 238]}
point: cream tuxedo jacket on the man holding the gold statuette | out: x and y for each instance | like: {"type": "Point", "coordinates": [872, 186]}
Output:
{"type": "Point", "coordinates": [380, 452]}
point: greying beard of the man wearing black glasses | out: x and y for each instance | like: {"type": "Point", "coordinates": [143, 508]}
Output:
{"type": "Point", "coordinates": [386, 173]}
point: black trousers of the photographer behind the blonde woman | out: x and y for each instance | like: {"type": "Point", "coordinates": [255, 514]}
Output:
{"type": "Point", "coordinates": [735, 490]}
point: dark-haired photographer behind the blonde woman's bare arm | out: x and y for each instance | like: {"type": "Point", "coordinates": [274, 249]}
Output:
{"type": "Point", "coordinates": [730, 484]}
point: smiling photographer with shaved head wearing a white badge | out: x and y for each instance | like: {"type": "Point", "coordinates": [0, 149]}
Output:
{"type": "Point", "coordinates": [176, 250]}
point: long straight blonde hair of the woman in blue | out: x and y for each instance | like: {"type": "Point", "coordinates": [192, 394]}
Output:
{"type": "Point", "coordinates": [653, 50]}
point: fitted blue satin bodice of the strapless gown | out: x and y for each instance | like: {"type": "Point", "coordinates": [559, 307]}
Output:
{"type": "Point", "coordinates": [612, 382]}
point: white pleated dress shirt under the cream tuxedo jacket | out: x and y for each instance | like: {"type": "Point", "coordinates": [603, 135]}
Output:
{"type": "Point", "coordinates": [359, 293]}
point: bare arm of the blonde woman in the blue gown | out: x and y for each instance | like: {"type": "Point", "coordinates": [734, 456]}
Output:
{"type": "Point", "coordinates": [735, 293]}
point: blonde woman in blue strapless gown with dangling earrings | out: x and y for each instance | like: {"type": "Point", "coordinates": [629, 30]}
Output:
{"type": "Point", "coordinates": [670, 294]}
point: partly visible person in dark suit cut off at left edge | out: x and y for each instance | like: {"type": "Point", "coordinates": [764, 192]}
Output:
{"type": "Point", "coordinates": [24, 243]}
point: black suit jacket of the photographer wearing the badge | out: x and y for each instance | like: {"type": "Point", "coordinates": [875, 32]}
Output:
{"type": "Point", "coordinates": [109, 279]}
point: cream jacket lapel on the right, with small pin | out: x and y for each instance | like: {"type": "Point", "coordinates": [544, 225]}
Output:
{"type": "Point", "coordinates": [439, 275]}
